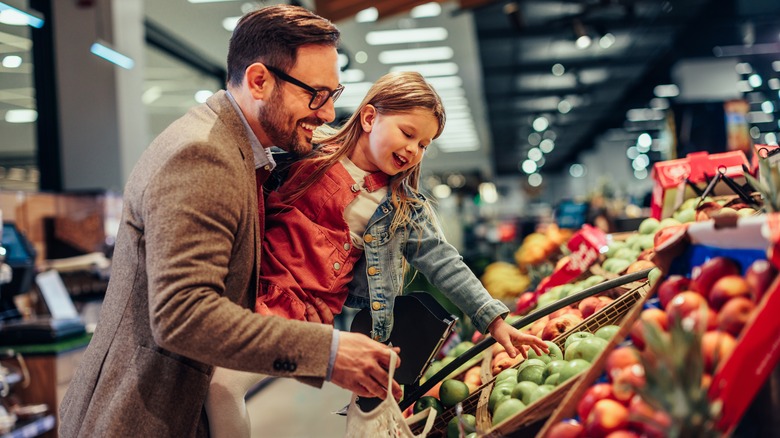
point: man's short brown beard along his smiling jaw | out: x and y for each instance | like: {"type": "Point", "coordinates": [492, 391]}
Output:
{"type": "Point", "coordinates": [280, 126]}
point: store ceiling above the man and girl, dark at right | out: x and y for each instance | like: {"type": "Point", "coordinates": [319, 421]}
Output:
{"type": "Point", "coordinates": [505, 52]}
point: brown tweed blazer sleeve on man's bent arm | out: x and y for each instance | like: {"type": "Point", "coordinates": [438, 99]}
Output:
{"type": "Point", "coordinates": [192, 209]}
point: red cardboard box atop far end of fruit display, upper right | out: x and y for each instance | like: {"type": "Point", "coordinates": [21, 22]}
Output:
{"type": "Point", "coordinates": [669, 188]}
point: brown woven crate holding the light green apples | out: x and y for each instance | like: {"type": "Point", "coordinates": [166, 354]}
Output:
{"type": "Point", "coordinates": [620, 312]}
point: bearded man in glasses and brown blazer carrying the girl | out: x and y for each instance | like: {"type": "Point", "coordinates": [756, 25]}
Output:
{"type": "Point", "coordinates": [185, 264]}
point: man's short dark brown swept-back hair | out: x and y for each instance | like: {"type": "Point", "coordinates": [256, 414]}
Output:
{"type": "Point", "coordinates": [272, 35]}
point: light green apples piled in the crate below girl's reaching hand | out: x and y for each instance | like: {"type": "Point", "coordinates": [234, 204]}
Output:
{"type": "Point", "coordinates": [516, 388]}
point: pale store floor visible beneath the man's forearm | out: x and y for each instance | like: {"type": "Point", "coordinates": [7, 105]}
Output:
{"type": "Point", "coordinates": [287, 408]}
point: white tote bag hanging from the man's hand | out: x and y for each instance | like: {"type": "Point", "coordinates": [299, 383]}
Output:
{"type": "Point", "coordinates": [386, 420]}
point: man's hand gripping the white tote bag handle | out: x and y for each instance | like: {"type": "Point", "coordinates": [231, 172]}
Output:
{"type": "Point", "coordinates": [361, 366]}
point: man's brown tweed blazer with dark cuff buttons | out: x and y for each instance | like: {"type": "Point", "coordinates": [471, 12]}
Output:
{"type": "Point", "coordinates": [182, 284]}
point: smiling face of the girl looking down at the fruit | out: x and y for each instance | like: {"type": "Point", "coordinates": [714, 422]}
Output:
{"type": "Point", "coordinates": [393, 143]}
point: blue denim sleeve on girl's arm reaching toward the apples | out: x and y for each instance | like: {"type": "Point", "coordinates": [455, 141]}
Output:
{"type": "Point", "coordinates": [428, 251]}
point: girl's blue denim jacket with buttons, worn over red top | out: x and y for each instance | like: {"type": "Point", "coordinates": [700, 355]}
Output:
{"type": "Point", "coordinates": [425, 248]}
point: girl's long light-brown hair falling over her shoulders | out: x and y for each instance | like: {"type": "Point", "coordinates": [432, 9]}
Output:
{"type": "Point", "coordinates": [393, 93]}
